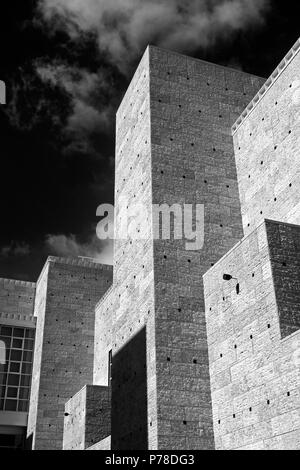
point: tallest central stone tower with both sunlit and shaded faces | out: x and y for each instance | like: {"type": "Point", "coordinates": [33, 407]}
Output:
{"type": "Point", "coordinates": [173, 145]}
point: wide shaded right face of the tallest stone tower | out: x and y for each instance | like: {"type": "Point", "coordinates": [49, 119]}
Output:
{"type": "Point", "coordinates": [193, 105]}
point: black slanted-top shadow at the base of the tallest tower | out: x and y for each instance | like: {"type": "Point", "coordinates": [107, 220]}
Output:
{"type": "Point", "coordinates": [129, 430]}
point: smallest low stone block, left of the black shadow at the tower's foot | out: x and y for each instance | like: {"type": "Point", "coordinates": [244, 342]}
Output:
{"type": "Point", "coordinates": [87, 418]}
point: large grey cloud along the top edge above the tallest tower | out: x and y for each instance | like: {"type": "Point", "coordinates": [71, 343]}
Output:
{"type": "Point", "coordinates": [124, 27]}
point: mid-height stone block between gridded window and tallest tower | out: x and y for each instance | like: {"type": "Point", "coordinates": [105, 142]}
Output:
{"type": "Point", "coordinates": [66, 295]}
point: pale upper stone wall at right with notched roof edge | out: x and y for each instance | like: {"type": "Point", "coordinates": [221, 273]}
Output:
{"type": "Point", "coordinates": [267, 148]}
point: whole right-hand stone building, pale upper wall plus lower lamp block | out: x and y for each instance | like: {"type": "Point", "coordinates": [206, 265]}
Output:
{"type": "Point", "coordinates": [254, 332]}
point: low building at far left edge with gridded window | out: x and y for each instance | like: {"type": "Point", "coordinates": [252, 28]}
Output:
{"type": "Point", "coordinates": [17, 332]}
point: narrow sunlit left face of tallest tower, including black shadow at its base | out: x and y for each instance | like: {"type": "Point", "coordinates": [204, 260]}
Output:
{"type": "Point", "coordinates": [133, 323]}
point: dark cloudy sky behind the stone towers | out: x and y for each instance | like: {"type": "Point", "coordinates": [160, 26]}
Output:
{"type": "Point", "coordinates": [66, 71]}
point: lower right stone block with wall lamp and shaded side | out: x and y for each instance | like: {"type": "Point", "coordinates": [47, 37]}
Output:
{"type": "Point", "coordinates": [255, 373]}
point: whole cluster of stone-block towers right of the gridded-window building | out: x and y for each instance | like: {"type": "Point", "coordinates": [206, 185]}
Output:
{"type": "Point", "coordinates": [185, 346]}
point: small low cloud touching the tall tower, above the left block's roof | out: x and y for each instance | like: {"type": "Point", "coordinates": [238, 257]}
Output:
{"type": "Point", "coordinates": [69, 245]}
